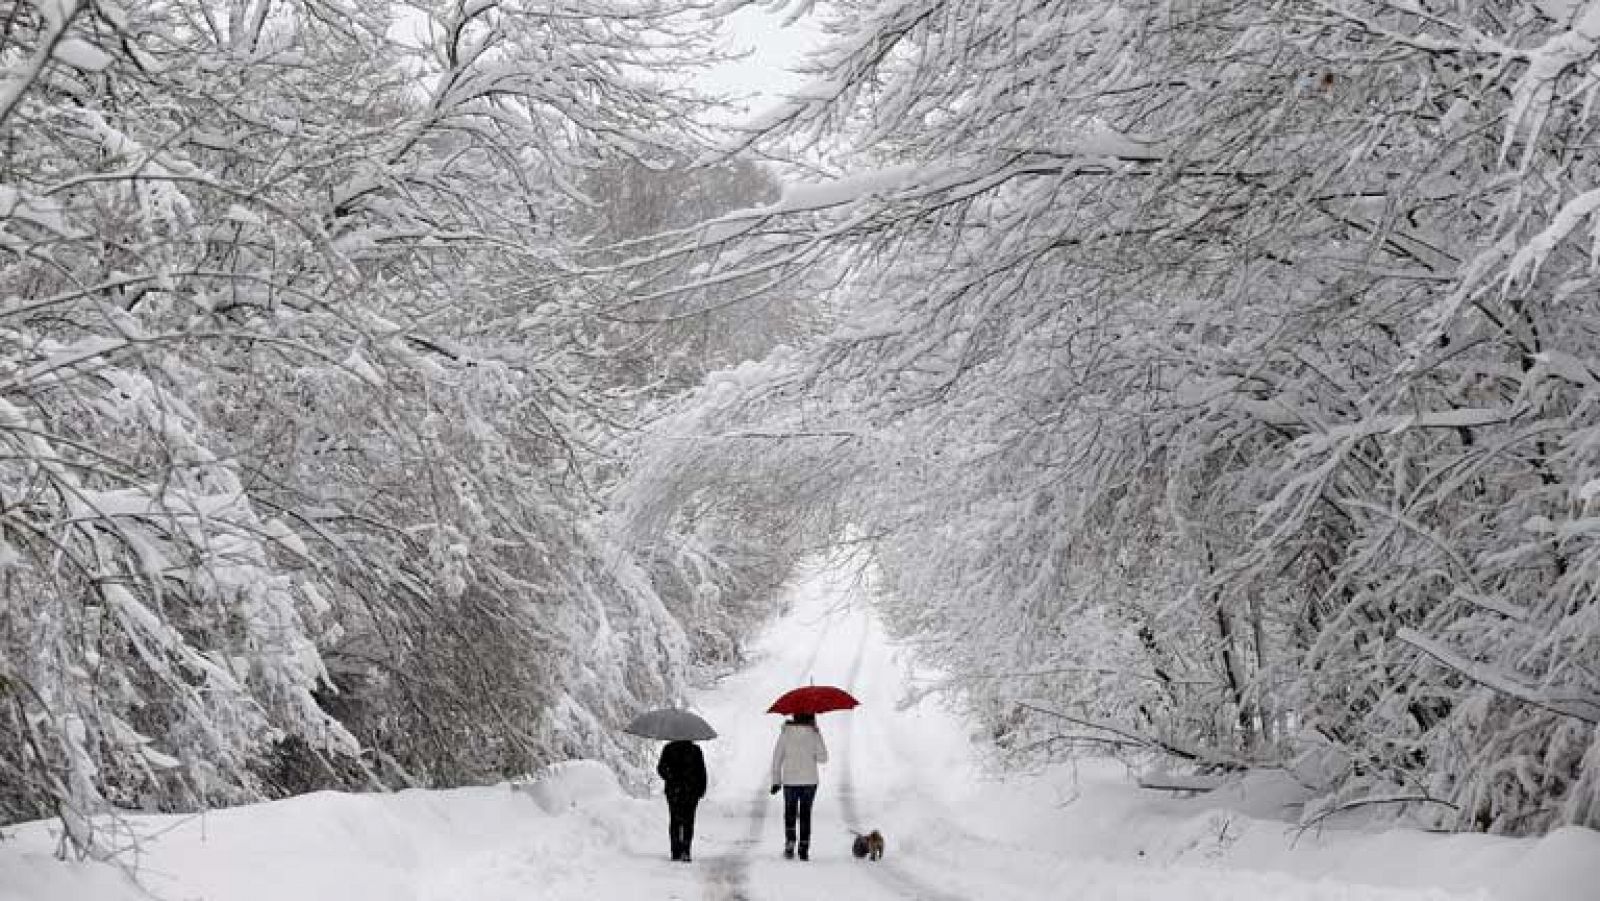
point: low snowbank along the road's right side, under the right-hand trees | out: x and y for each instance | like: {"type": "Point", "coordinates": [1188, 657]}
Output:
{"type": "Point", "coordinates": [1097, 811]}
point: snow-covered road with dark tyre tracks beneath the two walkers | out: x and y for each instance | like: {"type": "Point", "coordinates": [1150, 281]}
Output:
{"type": "Point", "coordinates": [911, 774]}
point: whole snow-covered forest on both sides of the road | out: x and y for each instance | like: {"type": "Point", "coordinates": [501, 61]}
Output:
{"type": "Point", "coordinates": [406, 393]}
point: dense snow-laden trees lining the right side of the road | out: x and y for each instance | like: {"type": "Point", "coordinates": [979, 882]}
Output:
{"type": "Point", "coordinates": [1222, 375]}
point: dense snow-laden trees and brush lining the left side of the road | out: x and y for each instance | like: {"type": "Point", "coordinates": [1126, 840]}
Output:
{"type": "Point", "coordinates": [302, 409]}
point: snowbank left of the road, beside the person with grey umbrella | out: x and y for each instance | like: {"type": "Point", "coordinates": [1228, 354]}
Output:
{"type": "Point", "coordinates": [556, 833]}
